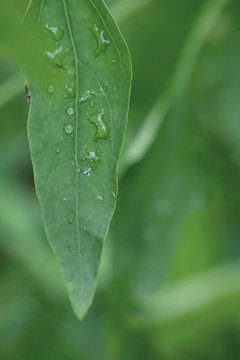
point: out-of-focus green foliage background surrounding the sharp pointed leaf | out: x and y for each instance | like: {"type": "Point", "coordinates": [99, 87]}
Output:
{"type": "Point", "coordinates": [170, 276]}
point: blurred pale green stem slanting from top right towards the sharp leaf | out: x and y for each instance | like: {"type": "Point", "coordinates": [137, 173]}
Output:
{"type": "Point", "coordinates": [177, 84]}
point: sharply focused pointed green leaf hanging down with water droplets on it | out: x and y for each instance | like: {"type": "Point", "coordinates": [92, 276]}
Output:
{"type": "Point", "coordinates": [77, 119]}
